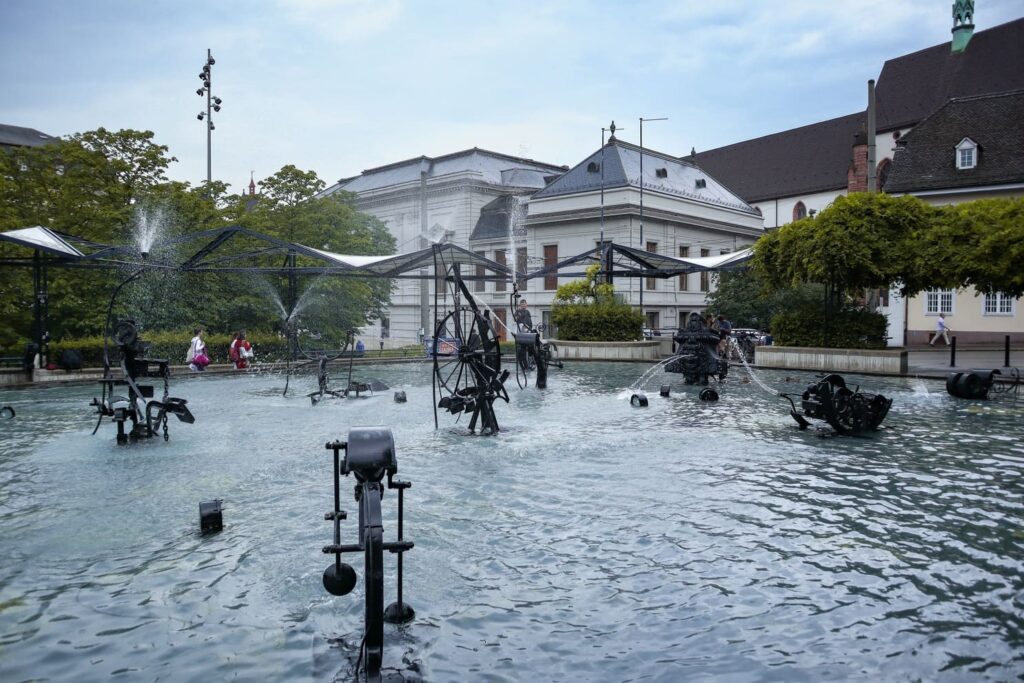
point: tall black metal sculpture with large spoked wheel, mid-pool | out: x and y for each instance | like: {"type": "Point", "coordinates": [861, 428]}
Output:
{"type": "Point", "coordinates": [468, 371]}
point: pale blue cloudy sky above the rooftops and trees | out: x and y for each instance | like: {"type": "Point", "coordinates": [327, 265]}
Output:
{"type": "Point", "coordinates": [339, 87]}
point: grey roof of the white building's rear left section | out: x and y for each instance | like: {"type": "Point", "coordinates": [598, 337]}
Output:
{"type": "Point", "coordinates": [491, 167]}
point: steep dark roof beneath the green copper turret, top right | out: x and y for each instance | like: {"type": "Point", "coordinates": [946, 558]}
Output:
{"type": "Point", "coordinates": [913, 87]}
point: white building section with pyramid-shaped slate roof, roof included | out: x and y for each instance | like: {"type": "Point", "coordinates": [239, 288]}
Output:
{"type": "Point", "coordinates": [660, 204]}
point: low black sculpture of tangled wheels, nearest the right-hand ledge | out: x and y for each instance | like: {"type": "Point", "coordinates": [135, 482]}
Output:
{"type": "Point", "coordinates": [847, 412]}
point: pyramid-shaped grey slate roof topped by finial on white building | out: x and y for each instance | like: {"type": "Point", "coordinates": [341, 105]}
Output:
{"type": "Point", "coordinates": [622, 168]}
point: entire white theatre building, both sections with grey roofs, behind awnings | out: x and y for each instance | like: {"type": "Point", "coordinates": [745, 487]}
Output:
{"type": "Point", "coordinates": [529, 216]}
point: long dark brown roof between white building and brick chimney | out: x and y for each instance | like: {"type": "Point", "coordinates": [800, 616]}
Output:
{"type": "Point", "coordinates": [802, 161]}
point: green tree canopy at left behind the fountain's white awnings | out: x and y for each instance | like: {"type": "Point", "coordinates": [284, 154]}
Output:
{"type": "Point", "coordinates": [103, 186]}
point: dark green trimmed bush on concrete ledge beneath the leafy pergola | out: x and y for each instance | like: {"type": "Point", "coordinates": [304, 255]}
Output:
{"type": "Point", "coordinates": [847, 329]}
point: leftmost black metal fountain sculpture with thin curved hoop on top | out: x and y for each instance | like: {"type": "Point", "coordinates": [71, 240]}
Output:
{"type": "Point", "coordinates": [146, 415]}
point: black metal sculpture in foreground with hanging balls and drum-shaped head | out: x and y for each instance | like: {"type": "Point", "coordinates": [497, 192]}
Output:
{"type": "Point", "coordinates": [370, 455]}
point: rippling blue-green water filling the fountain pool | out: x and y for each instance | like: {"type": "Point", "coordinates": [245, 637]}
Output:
{"type": "Point", "coordinates": [589, 541]}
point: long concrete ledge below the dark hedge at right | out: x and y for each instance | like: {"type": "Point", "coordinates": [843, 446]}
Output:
{"type": "Point", "coordinates": [867, 362]}
